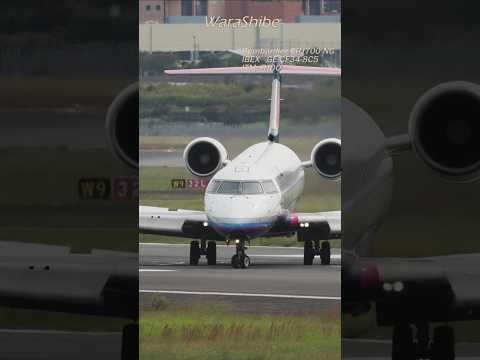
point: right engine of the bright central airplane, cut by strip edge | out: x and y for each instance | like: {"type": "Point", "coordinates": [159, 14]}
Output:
{"type": "Point", "coordinates": [326, 158]}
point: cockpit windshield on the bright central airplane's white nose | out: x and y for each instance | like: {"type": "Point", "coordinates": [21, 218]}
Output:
{"type": "Point", "coordinates": [241, 187]}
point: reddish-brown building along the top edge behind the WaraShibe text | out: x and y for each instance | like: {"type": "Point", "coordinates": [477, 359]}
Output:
{"type": "Point", "coordinates": [193, 11]}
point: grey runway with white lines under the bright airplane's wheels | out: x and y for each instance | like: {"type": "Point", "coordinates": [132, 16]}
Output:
{"type": "Point", "coordinates": [276, 281]}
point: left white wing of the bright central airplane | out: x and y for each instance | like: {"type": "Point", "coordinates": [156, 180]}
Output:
{"type": "Point", "coordinates": [180, 223]}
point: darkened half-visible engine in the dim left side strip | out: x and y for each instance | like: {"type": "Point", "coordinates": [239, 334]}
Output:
{"type": "Point", "coordinates": [122, 125]}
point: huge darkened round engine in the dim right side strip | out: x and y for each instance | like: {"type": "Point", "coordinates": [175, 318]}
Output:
{"type": "Point", "coordinates": [444, 130]}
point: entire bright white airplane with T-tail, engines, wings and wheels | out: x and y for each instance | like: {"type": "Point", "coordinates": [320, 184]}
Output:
{"type": "Point", "coordinates": [255, 193]}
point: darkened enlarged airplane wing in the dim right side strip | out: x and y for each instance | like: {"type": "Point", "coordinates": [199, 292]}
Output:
{"type": "Point", "coordinates": [430, 288]}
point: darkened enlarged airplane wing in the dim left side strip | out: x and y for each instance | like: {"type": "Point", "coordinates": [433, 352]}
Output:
{"type": "Point", "coordinates": [49, 277]}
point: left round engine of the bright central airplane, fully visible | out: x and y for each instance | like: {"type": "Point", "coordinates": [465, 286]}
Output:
{"type": "Point", "coordinates": [204, 156]}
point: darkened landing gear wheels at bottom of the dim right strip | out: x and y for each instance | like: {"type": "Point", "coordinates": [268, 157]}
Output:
{"type": "Point", "coordinates": [406, 347]}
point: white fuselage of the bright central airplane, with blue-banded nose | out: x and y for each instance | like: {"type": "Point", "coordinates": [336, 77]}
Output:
{"type": "Point", "coordinates": [254, 191]}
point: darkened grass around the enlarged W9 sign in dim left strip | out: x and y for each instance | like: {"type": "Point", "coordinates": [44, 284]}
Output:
{"type": "Point", "coordinates": [39, 206]}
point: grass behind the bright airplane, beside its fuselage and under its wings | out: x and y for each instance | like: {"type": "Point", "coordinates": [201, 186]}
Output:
{"type": "Point", "coordinates": [155, 190]}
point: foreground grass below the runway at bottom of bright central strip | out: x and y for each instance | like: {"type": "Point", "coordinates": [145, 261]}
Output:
{"type": "Point", "coordinates": [202, 334]}
